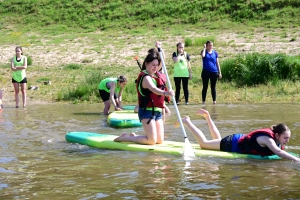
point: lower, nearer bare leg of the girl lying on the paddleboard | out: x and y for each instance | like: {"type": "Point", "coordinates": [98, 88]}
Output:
{"type": "Point", "coordinates": [200, 137]}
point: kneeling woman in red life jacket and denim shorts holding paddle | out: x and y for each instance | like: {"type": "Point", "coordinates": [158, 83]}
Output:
{"type": "Point", "coordinates": [151, 93]}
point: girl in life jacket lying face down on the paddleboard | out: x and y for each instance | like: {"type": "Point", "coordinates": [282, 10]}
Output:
{"type": "Point", "coordinates": [266, 141]}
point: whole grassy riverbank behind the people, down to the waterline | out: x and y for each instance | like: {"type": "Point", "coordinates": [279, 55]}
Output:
{"type": "Point", "coordinates": [74, 44]}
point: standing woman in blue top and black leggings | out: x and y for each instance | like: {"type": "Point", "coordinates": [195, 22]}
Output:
{"type": "Point", "coordinates": [211, 71]}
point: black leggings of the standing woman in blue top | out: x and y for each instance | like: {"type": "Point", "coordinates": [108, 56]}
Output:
{"type": "Point", "coordinates": [213, 77]}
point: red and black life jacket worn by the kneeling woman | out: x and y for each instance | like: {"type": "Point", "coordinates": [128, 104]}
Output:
{"type": "Point", "coordinates": [148, 98]}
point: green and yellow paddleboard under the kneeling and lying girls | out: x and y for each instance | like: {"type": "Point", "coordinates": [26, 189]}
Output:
{"type": "Point", "coordinates": [106, 141]}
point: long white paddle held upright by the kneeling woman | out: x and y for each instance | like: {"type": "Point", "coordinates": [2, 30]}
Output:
{"type": "Point", "coordinates": [188, 150]}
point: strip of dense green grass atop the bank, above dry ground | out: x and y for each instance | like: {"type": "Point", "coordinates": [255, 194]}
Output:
{"type": "Point", "coordinates": [92, 15]}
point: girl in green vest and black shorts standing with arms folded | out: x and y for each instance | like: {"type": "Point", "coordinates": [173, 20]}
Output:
{"type": "Point", "coordinates": [18, 67]}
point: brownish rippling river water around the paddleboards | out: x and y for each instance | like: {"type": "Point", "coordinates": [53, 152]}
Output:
{"type": "Point", "coordinates": [37, 163]}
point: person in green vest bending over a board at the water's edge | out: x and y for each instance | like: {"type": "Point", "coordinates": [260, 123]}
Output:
{"type": "Point", "coordinates": [108, 89]}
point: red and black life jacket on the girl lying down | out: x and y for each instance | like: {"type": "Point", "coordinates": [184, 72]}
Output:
{"type": "Point", "coordinates": [248, 144]}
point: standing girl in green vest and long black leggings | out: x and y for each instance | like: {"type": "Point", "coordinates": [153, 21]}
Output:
{"type": "Point", "coordinates": [182, 72]}
